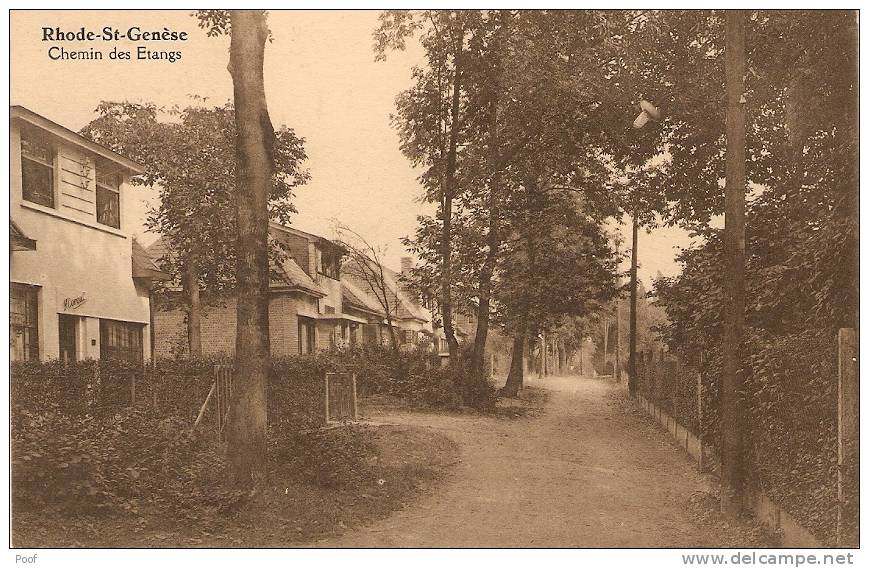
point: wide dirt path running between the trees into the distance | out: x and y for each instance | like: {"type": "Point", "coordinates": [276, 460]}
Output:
{"type": "Point", "coordinates": [588, 472]}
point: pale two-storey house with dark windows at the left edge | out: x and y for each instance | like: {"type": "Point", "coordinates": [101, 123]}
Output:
{"type": "Point", "coordinates": [80, 285]}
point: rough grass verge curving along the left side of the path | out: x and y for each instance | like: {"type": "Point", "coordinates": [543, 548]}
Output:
{"type": "Point", "coordinates": [294, 510]}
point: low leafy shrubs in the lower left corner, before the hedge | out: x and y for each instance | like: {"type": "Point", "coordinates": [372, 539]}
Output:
{"type": "Point", "coordinates": [126, 462]}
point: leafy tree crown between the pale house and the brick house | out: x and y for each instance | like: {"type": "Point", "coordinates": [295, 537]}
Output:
{"type": "Point", "coordinates": [189, 156]}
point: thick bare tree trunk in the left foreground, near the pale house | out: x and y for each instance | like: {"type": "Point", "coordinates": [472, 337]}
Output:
{"type": "Point", "coordinates": [246, 429]}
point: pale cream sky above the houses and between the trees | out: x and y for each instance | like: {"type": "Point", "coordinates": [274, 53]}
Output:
{"type": "Point", "coordinates": [321, 80]}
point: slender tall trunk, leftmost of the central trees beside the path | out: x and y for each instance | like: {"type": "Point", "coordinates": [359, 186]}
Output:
{"type": "Point", "coordinates": [449, 192]}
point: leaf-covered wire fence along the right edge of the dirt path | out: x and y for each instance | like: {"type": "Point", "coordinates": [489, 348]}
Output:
{"type": "Point", "coordinates": [791, 404]}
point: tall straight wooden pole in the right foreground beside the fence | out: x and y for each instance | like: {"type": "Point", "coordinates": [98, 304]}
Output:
{"type": "Point", "coordinates": [732, 412]}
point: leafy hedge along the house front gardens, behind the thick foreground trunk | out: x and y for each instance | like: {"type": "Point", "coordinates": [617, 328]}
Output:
{"type": "Point", "coordinates": [110, 437]}
